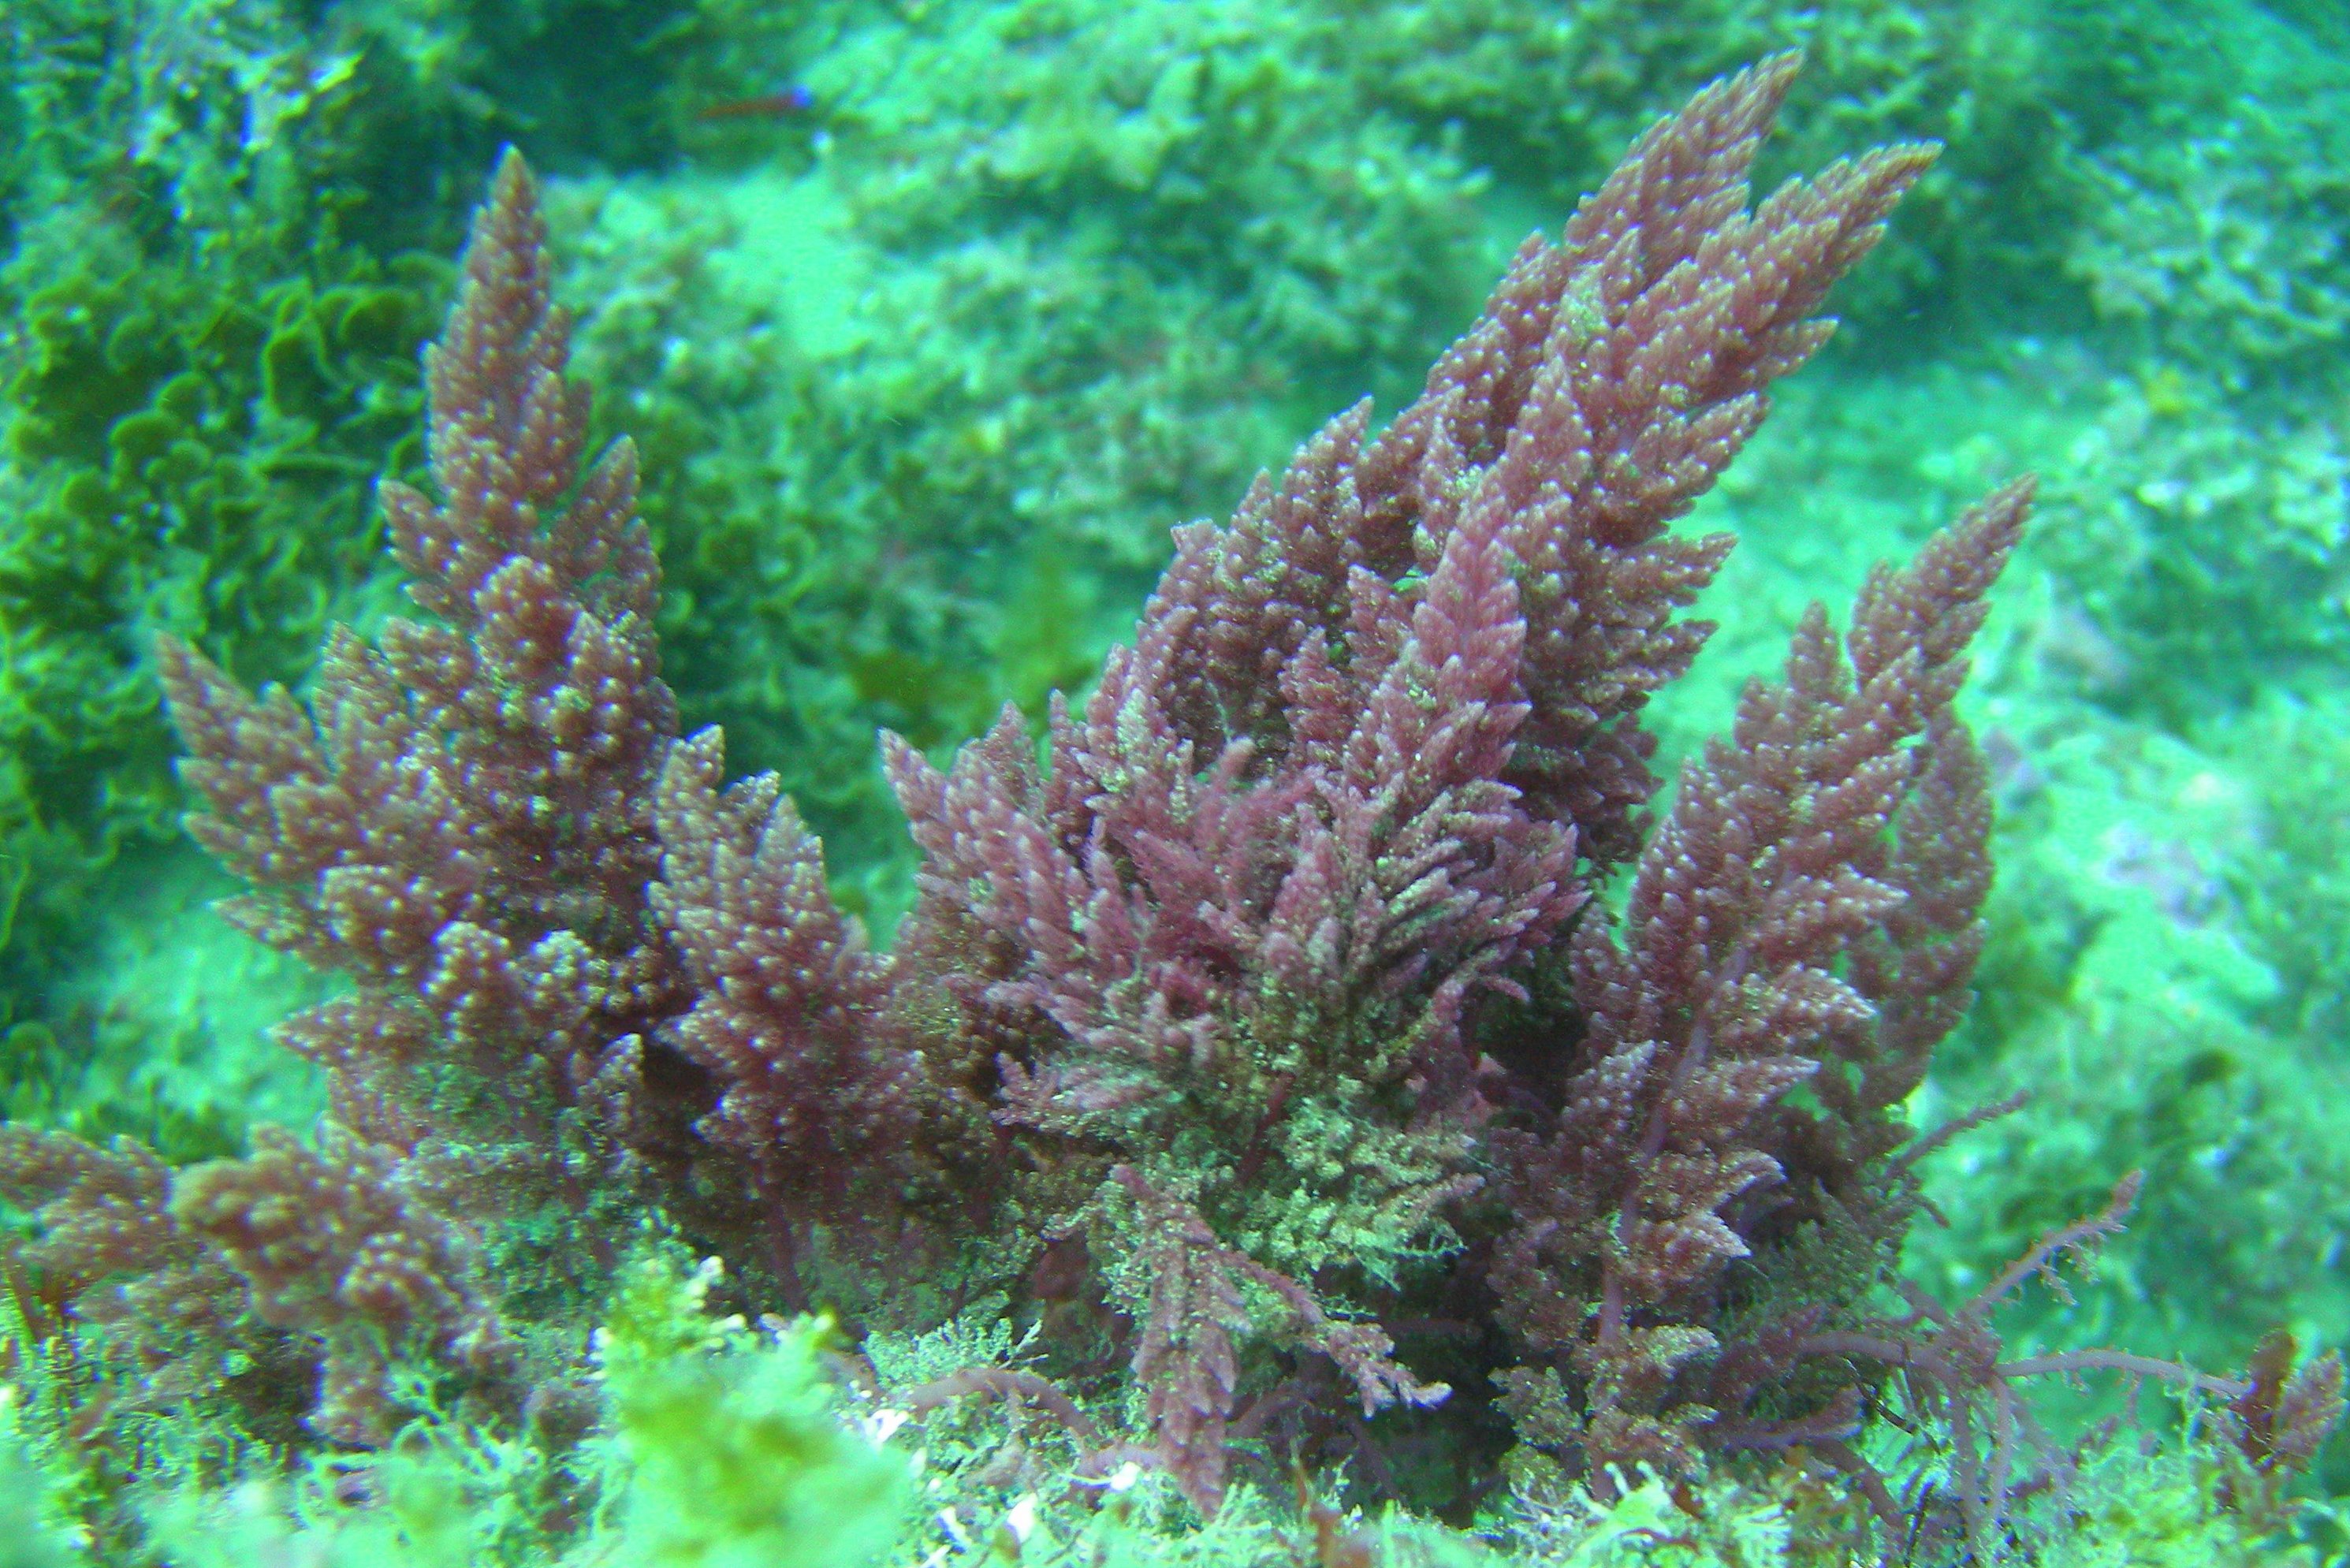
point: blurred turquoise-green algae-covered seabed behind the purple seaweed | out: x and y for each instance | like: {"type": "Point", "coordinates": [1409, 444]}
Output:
{"type": "Point", "coordinates": [932, 319]}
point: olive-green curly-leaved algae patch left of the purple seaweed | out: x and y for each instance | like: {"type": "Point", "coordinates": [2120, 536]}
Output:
{"type": "Point", "coordinates": [184, 460]}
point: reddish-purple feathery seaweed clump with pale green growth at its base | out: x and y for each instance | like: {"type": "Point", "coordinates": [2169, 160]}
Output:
{"type": "Point", "coordinates": [1258, 1047]}
